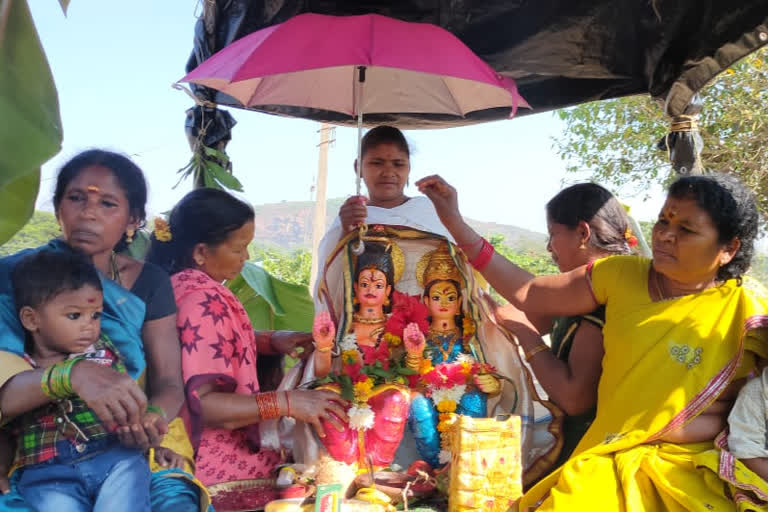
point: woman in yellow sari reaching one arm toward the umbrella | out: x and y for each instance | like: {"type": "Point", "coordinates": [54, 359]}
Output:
{"type": "Point", "coordinates": [681, 333]}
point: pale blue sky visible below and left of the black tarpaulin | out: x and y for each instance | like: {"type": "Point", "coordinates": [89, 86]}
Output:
{"type": "Point", "coordinates": [114, 63]}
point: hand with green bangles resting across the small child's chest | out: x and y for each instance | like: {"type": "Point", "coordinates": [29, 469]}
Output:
{"type": "Point", "coordinates": [115, 398]}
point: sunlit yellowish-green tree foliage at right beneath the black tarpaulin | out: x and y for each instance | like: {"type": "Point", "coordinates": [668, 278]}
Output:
{"type": "Point", "coordinates": [615, 140]}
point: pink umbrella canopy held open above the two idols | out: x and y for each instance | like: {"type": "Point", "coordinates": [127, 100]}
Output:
{"type": "Point", "coordinates": [320, 62]}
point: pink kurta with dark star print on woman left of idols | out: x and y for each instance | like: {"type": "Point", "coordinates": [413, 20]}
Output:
{"type": "Point", "coordinates": [219, 348]}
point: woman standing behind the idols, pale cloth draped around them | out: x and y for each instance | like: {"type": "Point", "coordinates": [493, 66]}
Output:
{"type": "Point", "coordinates": [386, 169]}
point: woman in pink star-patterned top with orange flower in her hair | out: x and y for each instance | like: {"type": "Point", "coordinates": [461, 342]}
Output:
{"type": "Point", "coordinates": [205, 244]}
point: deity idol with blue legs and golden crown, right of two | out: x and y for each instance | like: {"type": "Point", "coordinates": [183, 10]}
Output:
{"type": "Point", "coordinates": [451, 379]}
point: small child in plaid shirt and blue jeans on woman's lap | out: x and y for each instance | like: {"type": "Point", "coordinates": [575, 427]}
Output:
{"type": "Point", "coordinates": [66, 457]}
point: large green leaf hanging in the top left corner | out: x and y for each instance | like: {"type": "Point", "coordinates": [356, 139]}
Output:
{"type": "Point", "coordinates": [30, 130]}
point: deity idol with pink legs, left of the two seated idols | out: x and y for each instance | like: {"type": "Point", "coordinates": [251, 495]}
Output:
{"type": "Point", "coordinates": [370, 373]}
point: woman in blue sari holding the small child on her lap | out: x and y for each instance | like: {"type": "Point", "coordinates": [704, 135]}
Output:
{"type": "Point", "coordinates": [100, 201]}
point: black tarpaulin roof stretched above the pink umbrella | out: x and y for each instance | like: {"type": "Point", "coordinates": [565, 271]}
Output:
{"type": "Point", "coordinates": [560, 52]}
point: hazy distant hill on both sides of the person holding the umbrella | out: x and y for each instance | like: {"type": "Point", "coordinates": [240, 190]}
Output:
{"type": "Point", "coordinates": [288, 225]}
